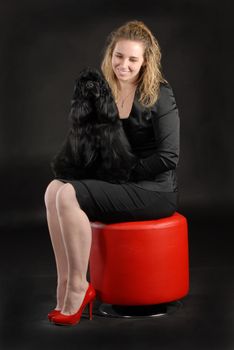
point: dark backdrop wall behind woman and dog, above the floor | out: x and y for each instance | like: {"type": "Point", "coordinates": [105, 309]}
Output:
{"type": "Point", "coordinates": [44, 45]}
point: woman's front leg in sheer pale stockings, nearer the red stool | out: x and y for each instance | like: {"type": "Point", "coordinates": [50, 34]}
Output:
{"type": "Point", "coordinates": [76, 230]}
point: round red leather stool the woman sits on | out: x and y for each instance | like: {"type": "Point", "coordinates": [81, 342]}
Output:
{"type": "Point", "coordinates": [140, 263]}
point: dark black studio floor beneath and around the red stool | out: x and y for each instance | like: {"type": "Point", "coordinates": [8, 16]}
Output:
{"type": "Point", "coordinates": [204, 322]}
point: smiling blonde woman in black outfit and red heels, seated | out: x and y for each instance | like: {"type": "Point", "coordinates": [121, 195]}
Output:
{"type": "Point", "coordinates": [149, 116]}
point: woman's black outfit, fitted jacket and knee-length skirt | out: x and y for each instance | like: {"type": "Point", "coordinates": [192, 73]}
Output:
{"type": "Point", "coordinates": [154, 136]}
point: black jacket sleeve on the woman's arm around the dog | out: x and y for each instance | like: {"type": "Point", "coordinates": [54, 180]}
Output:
{"type": "Point", "coordinates": [166, 124]}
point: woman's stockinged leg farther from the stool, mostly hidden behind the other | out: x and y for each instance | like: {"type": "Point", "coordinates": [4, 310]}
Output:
{"type": "Point", "coordinates": [57, 240]}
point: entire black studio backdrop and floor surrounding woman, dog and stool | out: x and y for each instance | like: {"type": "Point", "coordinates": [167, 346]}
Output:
{"type": "Point", "coordinates": [43, 46]}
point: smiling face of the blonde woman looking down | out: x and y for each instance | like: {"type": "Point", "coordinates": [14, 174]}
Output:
{"type": "Point", "coordinates": [127, 60]}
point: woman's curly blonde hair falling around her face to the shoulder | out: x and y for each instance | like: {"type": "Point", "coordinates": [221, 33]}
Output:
{"type": "Point", "coordinates": [150, 75]}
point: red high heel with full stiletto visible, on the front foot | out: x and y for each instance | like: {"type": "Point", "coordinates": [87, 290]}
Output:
{"type": "Point", "coordinates": [71, 320]}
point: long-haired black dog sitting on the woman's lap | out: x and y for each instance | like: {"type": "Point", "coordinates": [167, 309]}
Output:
{"type": "Point", "coordinates": [96, 145]}
